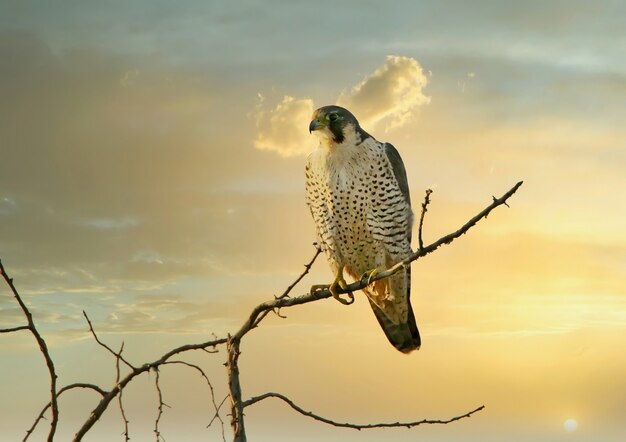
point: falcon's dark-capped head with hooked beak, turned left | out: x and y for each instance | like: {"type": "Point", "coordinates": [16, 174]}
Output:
{"type": "Point", "coordinates": [334, 124]}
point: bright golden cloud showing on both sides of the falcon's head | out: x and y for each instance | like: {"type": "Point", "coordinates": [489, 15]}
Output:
{"type": "Point", "coordinates": [390, 95]}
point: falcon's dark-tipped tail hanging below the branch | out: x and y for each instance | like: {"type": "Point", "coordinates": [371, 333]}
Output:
{"type": "Point", "coordinates": [403, 333]}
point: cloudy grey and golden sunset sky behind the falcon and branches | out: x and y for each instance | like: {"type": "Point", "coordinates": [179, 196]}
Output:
{"type": "Point", "coordinates": [151, 173]}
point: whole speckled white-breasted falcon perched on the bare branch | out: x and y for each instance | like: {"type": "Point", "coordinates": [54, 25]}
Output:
{"type": "Point", "coordinates": [358, 194]}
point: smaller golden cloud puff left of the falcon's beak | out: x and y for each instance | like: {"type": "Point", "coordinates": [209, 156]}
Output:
{"type": "Point", "coordinates": [283, 129]}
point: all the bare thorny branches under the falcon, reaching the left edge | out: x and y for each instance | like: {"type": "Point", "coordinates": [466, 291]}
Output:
{"type": "Point", "coordinates": [233, 343]}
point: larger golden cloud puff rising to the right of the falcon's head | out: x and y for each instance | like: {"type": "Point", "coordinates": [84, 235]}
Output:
{"type": "Point", "coordinates": [391, 94]}
